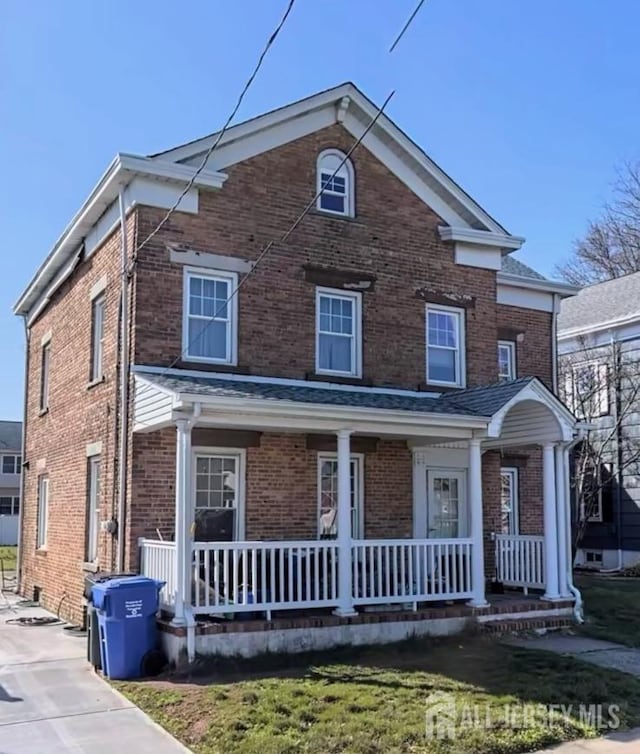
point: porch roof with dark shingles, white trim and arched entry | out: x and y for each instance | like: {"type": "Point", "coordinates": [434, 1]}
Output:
{"type": "Point", "coordinates": [160, 393]}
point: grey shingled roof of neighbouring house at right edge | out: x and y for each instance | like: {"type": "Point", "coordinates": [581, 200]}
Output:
{"type": "Point", "coordinates": [610, 303]}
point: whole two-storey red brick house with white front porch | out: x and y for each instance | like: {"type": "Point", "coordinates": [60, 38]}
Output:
{"type": "Point", "coordinates": [340, 424]}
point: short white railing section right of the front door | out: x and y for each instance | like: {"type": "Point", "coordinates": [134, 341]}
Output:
{"type": "Point", "coordinates": [520, 560]}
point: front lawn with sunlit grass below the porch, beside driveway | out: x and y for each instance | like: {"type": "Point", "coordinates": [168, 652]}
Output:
{"type": "Point", "coordinates": [374, 700]}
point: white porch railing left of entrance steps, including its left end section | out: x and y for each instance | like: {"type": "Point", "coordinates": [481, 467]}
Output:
{"type": "Point", "coordinates": [245, 577]}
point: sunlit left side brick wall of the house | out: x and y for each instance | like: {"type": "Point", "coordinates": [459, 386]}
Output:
{"type": "Point", "coordinates": [56, 441]}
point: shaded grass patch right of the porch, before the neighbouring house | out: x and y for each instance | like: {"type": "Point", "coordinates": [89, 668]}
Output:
{"type": "Point", "coordinates": [612, 608]}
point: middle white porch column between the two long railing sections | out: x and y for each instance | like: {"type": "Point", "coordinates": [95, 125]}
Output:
{"type": "Point", "coordinates": [345, 585]}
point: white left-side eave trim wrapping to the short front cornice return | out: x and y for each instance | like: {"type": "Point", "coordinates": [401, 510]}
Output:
{"type": "Point", "coordinates": [120, 172]}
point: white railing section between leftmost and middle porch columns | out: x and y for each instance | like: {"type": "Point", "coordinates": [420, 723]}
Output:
{"type": "Point", "coordinates": [235, 577]}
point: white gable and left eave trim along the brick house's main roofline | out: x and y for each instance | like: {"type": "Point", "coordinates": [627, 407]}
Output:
{"type": "Point", "coordinates": [465, 219]}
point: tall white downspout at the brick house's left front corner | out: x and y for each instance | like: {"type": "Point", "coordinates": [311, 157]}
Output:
{"type": "Point", "coordinates": [124, 383]}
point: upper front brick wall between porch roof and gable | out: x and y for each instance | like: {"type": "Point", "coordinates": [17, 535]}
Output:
{"type": "Point", "coordinates": [394, 236]}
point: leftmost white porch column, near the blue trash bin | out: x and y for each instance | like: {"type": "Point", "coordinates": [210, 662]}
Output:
{"type": "Point", "coordinates": [183, 535]}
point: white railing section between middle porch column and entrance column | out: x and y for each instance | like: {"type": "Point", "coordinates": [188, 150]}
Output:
{"type": "Point", "coordinates": [390, 571]}
